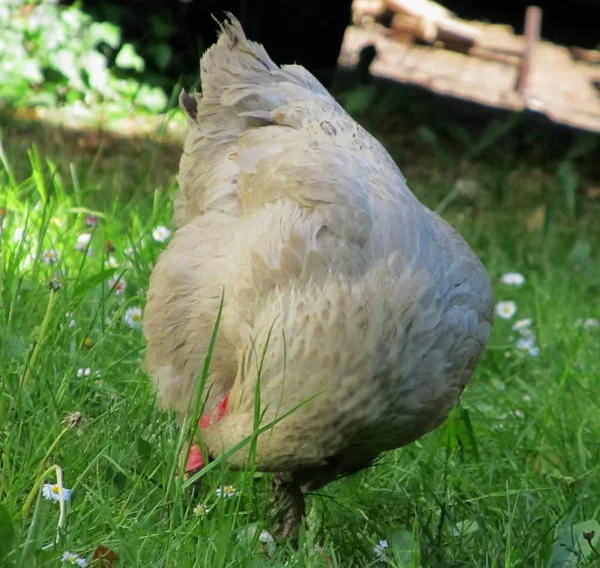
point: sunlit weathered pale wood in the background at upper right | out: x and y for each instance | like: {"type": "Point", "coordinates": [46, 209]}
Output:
{"type": "Point", "coordinates": [558, 86]}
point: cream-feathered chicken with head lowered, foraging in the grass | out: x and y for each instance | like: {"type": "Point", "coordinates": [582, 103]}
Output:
{"type": "Point", "coordinates": [354, 312]}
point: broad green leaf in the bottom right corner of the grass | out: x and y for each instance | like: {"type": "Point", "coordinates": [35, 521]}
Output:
{"type": "Point", "coordinates": [572, 545]}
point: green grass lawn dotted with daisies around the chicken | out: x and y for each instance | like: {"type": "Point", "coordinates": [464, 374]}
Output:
{"type": "Point", "coordinates": [515, 465]}
